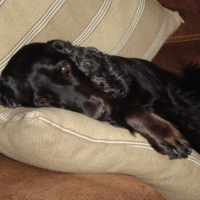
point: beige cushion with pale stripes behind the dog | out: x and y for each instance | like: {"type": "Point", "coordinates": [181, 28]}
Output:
{"type": "Point", "coordinates": [131, 28]}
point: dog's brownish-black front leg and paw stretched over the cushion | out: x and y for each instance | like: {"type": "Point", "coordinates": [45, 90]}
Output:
{"type": "Point", "coordinates": [162, 136]}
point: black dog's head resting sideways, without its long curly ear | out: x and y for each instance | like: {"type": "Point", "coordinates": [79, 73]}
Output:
{"type": "Point", "coordinates": [46, 74]}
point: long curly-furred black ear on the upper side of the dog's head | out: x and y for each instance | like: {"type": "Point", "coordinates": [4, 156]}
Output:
{"type": "Point", "coordinates": [105, 74]}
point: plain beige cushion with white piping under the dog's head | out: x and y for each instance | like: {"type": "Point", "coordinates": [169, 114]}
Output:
{"type": "Point", "coordinates": [65, 141]}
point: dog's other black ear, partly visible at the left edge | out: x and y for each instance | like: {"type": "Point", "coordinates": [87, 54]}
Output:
{"type": "Point", "coordinates": [7, 95]}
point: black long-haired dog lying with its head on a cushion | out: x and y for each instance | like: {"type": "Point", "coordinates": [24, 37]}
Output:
{"type": "Point", "coordinates": [127, 92]}
